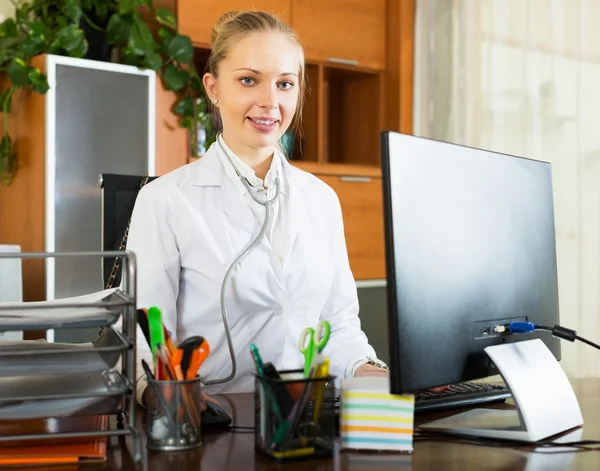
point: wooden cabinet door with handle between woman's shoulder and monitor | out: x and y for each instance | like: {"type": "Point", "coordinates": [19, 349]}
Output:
{"type": "Point", "coordinates": [361, 197]}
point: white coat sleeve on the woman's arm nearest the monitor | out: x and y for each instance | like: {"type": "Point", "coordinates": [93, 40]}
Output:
{"type": "Point", "coordinates": [347, 344]}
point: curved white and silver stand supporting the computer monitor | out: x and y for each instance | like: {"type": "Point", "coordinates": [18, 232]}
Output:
{"type": "Point", "coordinates": [545, 404]}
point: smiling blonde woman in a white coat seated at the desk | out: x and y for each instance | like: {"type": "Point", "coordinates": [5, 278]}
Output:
{"type": "Point", "coordinates": [190, 225]}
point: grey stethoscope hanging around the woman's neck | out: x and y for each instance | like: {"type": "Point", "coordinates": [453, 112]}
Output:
{"type": "Point", "coordinates": [255, 192]}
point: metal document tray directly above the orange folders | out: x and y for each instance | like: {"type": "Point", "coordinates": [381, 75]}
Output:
{"type": "Point", "coordinates": [30, 397]}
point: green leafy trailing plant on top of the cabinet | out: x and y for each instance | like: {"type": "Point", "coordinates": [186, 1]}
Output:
{"type": "Point", "coordinates": [58, 27]}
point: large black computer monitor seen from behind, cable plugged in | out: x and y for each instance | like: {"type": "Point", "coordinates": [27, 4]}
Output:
{"type": "Point", "coordinates": [470, 243]}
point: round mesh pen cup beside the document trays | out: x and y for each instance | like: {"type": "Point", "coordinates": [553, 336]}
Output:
{"type": "Point", "coordinates": [173, 414]}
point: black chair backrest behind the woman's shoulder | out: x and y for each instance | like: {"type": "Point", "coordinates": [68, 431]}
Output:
{"type": "Point", "coordinates": [119, 193]}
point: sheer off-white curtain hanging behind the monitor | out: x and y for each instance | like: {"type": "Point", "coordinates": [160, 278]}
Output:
{"type": "Point", "coordinates": [523, 77]}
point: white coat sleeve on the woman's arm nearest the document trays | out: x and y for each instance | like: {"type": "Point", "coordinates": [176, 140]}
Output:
{"type": "Point", "coordinates": [153, 241]}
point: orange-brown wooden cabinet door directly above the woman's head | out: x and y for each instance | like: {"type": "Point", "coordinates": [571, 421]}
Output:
{"type": "Point", "coordinates": [196, 18]}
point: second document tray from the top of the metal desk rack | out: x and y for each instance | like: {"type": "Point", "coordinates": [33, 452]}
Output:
{"type": "Point", "coordinates": [32, 357]}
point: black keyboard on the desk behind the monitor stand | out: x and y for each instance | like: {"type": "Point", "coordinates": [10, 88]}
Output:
{"type": "Point", "coordinates": [466, 394]}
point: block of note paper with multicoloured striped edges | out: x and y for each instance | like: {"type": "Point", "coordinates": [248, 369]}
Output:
{"type": "Point", "coordinates": [372, 418]}
